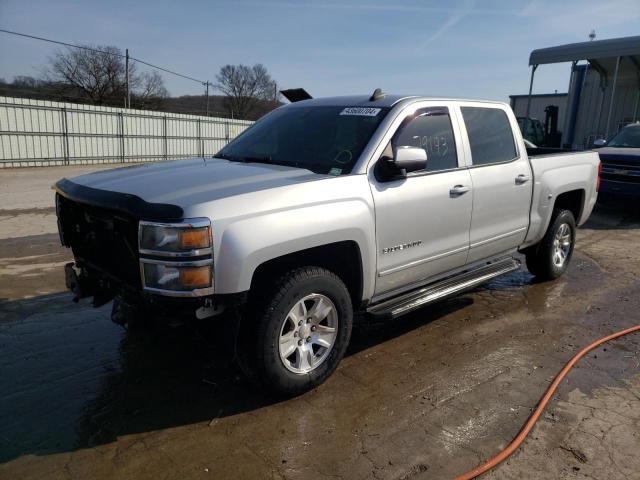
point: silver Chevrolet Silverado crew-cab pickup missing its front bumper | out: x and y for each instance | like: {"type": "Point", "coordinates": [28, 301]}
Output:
{"type": "Point", "coordinates": [325, 208]}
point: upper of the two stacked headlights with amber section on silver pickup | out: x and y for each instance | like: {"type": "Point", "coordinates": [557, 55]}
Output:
{"type": "Point", "coordinates": [180, 238]}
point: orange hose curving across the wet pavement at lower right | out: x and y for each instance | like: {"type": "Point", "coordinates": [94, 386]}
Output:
{"type": "Point", "coordinates": [517, 441]}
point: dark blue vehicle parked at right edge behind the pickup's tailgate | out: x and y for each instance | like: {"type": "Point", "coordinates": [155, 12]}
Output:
{"type": "Point", "coordinates": [620, 159]}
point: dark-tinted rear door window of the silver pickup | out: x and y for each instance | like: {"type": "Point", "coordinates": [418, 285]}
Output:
{"type": "Point", "coordinates": [490, 135]}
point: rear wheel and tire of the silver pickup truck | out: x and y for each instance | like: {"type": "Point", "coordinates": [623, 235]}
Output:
{"type": "Point", "coordinates": [550, 258]}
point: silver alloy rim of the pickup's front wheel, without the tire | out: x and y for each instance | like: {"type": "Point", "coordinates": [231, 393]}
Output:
{"type": "Point", "coordinates": [308, 333]}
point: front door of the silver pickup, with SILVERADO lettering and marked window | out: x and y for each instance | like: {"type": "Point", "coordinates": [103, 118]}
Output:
{"type": "Point", "coordinates": [422, 221]}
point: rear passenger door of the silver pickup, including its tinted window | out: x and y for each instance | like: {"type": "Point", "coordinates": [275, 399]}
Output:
{"type": "Point", "coordinates": [501, 178]}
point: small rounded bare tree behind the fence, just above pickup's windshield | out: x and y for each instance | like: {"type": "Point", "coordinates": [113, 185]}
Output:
{"type": "Point", "coordinates": [245, 87]}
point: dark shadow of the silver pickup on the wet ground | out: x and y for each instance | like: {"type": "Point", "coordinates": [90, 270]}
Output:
{"type": "Point", "coordinates": [71, 379]}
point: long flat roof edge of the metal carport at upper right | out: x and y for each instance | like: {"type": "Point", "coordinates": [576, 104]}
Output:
{"type": "Point", "coordinates": [598, 49]}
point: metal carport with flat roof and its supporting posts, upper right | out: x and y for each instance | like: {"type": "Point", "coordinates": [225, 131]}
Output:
{"type": "Point", "coordinates": [616, 56]}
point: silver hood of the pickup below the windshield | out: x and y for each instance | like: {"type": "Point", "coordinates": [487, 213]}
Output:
{"type": "Point", "coordinates": [185, 183]}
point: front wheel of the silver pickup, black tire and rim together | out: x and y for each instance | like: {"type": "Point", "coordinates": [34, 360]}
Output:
{"type": "Point", "coordinates": [276, 320]}
